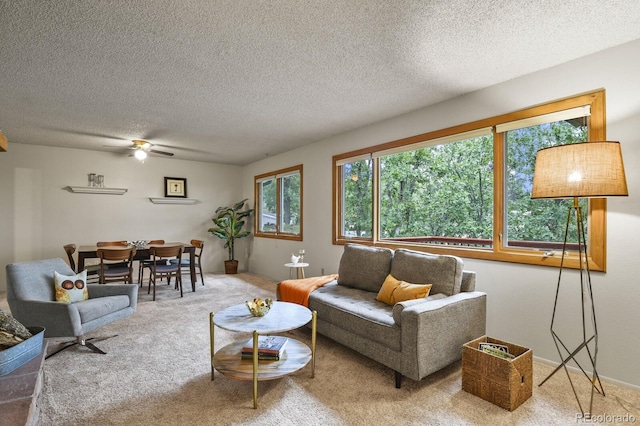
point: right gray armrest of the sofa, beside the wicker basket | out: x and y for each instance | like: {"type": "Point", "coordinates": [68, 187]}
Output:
{"type": "Point", "coordinates": [434, 332]}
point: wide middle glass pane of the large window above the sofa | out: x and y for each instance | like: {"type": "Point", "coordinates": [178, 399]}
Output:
{"type": "Point", "coordinates": [441, 193]}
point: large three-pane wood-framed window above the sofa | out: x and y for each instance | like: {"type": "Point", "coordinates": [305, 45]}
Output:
{"type": "Point", "coordinates": [466, 190]}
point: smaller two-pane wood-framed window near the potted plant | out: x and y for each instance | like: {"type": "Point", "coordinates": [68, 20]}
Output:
{"type": "Point", "coordinates": [279, 204]}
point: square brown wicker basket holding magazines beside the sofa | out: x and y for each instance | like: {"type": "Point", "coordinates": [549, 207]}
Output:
{"type": "Point", "coordinates": [504, 382]}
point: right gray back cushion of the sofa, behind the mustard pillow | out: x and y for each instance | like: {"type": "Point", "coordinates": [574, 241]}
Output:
{"type": "Point", "coordinates": [442, 271]}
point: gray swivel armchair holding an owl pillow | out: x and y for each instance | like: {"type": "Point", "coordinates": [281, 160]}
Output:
{"type": "Point", "coordinates": [31, 298]}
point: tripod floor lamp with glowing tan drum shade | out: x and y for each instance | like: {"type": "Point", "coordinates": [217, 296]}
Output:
{"type": "Point", "coordinates": [580, 170]}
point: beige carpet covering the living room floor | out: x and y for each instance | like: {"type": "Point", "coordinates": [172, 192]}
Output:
{"type": "Point", "coordinates": [157, 372]}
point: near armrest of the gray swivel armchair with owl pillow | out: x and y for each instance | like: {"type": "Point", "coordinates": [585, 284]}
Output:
{"type": "Point", "coordinates": [59, 319]}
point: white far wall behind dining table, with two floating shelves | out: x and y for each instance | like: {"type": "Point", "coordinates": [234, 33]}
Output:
{"type": "Point", "coordinates": [38, 216]}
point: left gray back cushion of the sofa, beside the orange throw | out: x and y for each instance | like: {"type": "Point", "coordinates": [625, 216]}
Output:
{"type": "Point", "coordinates": [364, 267]}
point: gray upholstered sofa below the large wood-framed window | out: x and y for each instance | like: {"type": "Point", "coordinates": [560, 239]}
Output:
{"type": "Point", "coordinates": [416, 337]}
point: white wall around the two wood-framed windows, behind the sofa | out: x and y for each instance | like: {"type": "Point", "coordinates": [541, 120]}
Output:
{"type": "Point", "coordinates": [520, 297]}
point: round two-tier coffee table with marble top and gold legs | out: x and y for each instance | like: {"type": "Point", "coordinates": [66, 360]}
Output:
{"type": "Point", "coordinates": [282, 316]}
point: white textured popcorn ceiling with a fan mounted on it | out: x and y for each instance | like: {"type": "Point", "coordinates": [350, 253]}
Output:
{"type": "Point", "coordinates": [236, 81]}
